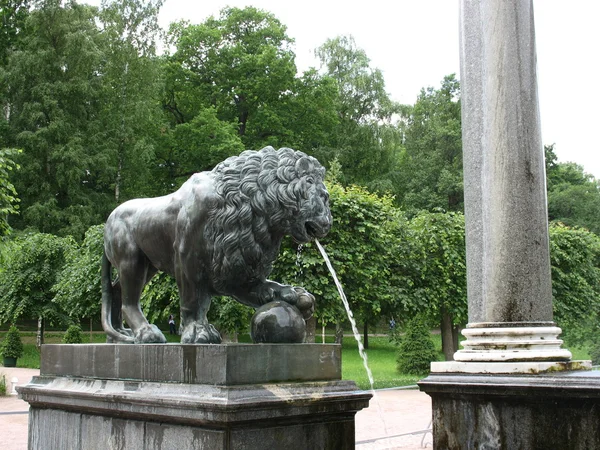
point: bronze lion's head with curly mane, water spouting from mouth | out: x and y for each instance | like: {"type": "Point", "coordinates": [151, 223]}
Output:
{"type": "Point", "coordinates": [264, 195]}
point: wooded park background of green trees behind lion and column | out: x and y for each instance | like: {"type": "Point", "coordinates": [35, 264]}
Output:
{"type": "Point", "coordinates": [101, 105]}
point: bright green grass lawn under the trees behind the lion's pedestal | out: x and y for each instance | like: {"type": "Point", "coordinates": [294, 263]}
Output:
{"type": "Point", "coordinates": [381, 357]}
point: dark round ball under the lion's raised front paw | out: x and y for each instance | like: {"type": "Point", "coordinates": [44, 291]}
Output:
{"type": "Point", "coordinates": [277, 323]}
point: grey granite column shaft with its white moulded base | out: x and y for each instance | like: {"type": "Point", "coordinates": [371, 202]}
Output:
{"type": "Point", "coordinates": [508, 260]}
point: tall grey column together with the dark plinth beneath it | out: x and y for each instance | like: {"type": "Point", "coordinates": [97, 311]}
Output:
{"type": "Point", "coordinates": [492, 395]}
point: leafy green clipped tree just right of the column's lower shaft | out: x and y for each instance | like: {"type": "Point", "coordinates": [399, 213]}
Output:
{"type": "Point", "coordinates": [575, 260]}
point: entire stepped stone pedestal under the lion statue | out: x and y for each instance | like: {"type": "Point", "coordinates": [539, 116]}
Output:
{"type": "Point", "coordinates": [205, 397]}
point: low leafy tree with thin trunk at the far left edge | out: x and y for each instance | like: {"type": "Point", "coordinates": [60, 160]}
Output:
{"type": "Point", "coordinates": [26, 283]}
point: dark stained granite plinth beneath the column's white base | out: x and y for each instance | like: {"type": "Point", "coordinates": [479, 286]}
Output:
{"type": "Point", "coordinates": [531, 412]}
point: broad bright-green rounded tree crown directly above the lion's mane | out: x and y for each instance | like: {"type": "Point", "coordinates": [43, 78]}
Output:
{"type": "Point", "coordinates": [236, 63]}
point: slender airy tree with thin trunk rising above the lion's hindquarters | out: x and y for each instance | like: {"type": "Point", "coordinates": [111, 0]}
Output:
{"type": "Point", "coordinates": [129, 116]}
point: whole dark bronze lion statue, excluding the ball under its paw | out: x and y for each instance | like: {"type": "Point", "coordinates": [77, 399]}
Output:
{"type": "Point", "coordinates": [217, 235]}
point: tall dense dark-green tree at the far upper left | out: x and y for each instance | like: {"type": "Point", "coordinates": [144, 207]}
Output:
{"type": "Point", "coordinates": [52, 89]}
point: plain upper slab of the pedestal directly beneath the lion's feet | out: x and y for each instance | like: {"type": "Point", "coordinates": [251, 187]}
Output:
{"type": "Point", "coordinates": [228, 364]}
